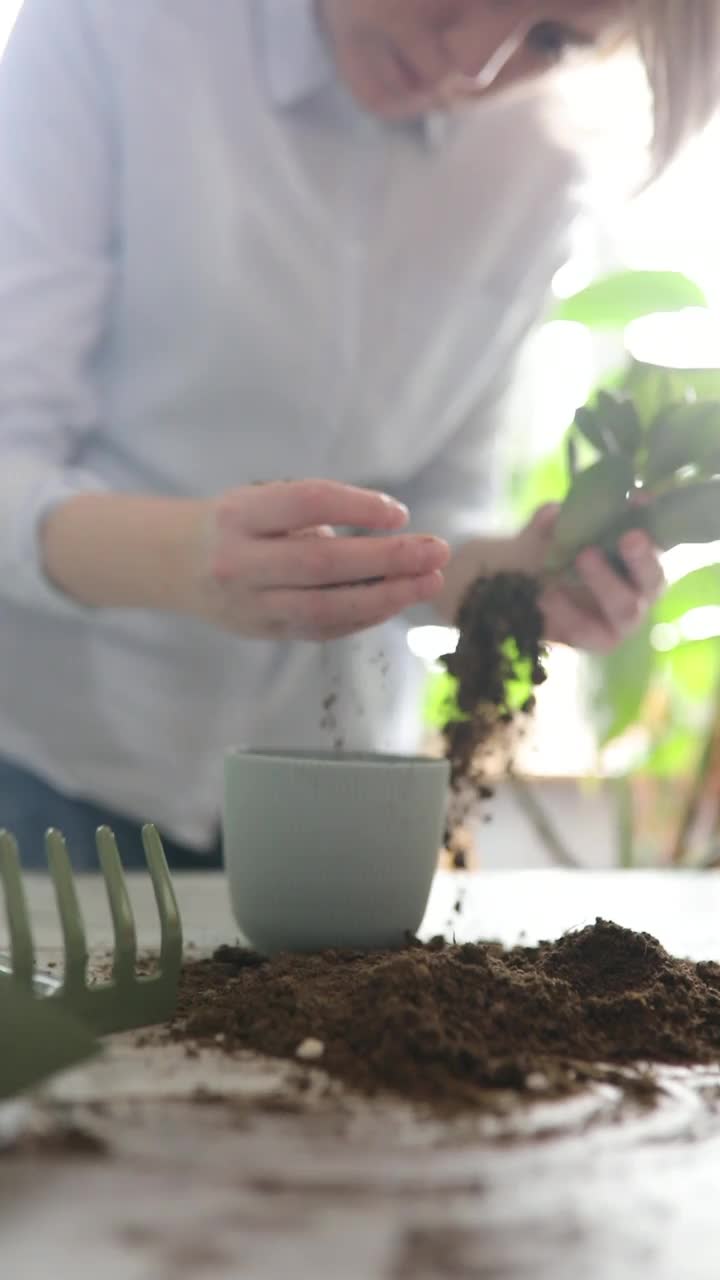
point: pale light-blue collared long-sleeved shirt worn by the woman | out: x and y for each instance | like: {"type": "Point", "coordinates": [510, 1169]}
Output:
{"type": "Point", "coordinates": [216, 269]}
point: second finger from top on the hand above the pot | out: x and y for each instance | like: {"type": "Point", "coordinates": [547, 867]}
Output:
{"type": "Point", "coordinates": [312, 563]}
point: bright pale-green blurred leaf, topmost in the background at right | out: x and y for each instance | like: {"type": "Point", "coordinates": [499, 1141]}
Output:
{"type": "Point", "coordinates": [613, 304]}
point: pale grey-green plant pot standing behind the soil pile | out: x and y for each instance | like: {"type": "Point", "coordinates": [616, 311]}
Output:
{"type": "Point", "coordinates": [331, 851]}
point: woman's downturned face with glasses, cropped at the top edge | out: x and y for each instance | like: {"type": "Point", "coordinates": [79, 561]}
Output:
{"type": "Point", "coordinates": [404, 57]}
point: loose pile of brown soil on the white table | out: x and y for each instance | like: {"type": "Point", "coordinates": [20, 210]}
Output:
{"type": "Point", "coordinates": [449, 1025]}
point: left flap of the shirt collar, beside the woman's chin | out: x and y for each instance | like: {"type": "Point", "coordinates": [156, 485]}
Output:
{"type": "Point", "coordinates": [297, 60]}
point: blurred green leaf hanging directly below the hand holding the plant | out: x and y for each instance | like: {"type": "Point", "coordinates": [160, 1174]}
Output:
{"type": "Point", "coordinates": [622, 682]}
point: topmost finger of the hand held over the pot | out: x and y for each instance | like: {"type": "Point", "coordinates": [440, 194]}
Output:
{"type": "Point", "coordinates": [272, 510]}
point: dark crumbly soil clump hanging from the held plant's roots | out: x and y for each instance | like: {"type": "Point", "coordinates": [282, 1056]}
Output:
{"type": "Point", "coordinates": [502, 638]}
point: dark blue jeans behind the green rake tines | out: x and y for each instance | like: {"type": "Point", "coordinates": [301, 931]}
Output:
{"type": "Point", "coordinates": [29, 807]}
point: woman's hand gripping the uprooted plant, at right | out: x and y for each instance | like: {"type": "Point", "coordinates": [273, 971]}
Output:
{"type": "Point", "coordinates": [608, 607]}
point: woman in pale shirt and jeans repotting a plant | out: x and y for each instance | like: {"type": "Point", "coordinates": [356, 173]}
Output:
{"type": "Point", "coordinates": [258, 241]}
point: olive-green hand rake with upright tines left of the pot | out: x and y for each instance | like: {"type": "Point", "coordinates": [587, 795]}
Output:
{"type": "Point", "coordinates": [127, 1002]}
